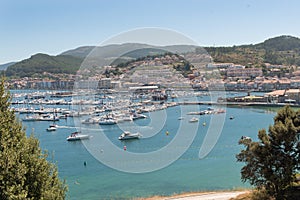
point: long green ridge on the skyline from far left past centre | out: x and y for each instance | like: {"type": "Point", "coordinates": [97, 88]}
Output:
{"type": "Point", "coordinates": [70, 61]}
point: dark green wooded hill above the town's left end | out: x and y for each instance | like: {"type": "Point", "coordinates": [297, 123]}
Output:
{"type": "Point", "coordinates": [40, 63]}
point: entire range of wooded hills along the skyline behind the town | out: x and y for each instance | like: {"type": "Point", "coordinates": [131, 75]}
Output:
{"type": "Point", "coordinates": [282, 50]}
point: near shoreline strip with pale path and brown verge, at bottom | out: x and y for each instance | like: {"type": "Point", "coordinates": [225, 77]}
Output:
{"type": "Point", "coordinates": [200, 195]}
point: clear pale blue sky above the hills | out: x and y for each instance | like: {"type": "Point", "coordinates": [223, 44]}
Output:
{"type": "Point", "coordinates": [54, 26]}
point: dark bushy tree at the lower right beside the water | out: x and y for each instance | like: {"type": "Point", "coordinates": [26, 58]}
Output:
{"type": "Point", "coordinates": [272, 162]}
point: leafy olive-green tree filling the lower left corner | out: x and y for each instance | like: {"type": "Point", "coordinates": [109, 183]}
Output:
{"type": "Point", "coordinates": [25, 172]}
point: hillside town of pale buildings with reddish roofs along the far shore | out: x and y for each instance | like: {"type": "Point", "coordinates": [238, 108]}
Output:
{"type": "Point", "coordinates": [229, 76]}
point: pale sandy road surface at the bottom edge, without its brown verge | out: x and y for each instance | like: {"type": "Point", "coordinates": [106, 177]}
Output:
{"type": "Point", "coordinates": [208, 196]}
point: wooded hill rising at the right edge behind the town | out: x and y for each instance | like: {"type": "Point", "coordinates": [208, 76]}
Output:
{"type": "Point", "coordinates": [282, 50]}
